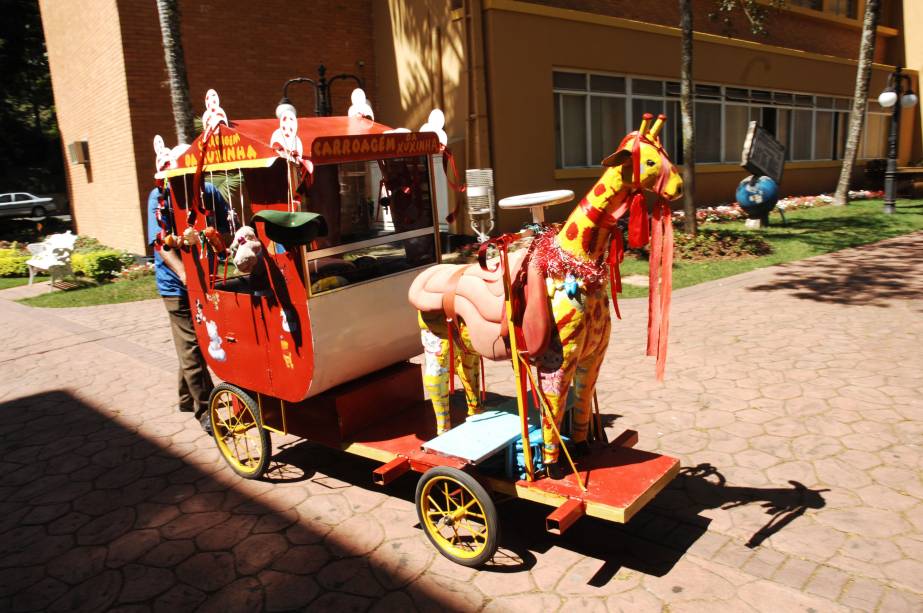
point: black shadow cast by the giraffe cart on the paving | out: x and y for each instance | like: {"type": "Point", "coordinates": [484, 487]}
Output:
{"type": "Point", "coordinates": [651, 543]}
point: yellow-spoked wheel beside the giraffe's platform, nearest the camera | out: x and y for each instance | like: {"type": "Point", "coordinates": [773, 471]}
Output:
{"type": "Point", "coordinates": [458, 516]}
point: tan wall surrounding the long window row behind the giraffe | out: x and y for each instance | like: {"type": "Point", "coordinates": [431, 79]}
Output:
{"type": "Point", "coordinates": [524, 47]}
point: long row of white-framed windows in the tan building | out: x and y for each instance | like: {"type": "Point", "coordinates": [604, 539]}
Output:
{"type": "Point", "coordinates": [593, 112]}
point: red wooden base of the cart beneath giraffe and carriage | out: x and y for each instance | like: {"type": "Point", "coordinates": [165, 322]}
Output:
{"type": "Point", "coordinates": [620, 480]}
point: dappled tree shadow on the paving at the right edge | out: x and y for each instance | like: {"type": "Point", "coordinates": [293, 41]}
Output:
{"type": "Point", "coordinates": [873, 275]}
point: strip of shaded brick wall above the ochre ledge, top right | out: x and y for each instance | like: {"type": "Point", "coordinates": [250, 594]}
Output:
{"type": "Point", "coordinates": [785, 29]}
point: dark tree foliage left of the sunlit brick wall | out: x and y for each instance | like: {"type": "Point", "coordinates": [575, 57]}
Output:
{"type": "Point", "coordinates": [30, 149]}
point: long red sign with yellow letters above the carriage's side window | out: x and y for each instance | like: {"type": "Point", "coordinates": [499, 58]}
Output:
{"type": "Point", "coordinates": [370, 146]}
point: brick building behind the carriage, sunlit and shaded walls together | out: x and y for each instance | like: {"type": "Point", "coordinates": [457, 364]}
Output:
{"type": "Point", "coordinates": [109, 76]}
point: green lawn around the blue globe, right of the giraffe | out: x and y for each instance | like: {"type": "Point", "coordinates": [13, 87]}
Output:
{"type": "Point", "coordinates": [808, 232]}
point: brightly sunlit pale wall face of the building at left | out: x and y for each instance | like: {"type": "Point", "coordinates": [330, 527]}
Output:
{"type": "Point", "coordinates": [84, 43]}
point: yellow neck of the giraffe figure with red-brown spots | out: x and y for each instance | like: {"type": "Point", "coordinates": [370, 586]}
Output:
{"type": "Point", "coordinates": [579, 236]}
